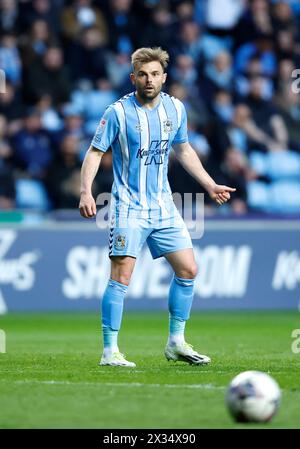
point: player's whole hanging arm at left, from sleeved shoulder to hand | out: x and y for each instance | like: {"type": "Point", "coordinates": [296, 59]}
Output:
{"type": "Point", "coordinates": [105, 135]}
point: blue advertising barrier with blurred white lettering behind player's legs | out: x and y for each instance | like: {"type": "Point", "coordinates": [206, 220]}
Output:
{"type": "Point", "coordinates": [242, 265]}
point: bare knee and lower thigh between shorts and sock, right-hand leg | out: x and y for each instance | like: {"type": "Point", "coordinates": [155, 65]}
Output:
{"type": "Point", "coordinates": [183, 263]}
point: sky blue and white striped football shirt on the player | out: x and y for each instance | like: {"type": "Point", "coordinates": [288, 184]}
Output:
{"type": "Point", "coordinates": [141, 140]}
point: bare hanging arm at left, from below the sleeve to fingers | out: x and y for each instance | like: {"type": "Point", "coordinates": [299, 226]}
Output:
{"type": "Point", "coordinates": [90, 166]}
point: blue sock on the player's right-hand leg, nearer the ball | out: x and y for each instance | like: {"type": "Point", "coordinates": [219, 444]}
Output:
{"type": "Point", "coordinates": [180, 302]}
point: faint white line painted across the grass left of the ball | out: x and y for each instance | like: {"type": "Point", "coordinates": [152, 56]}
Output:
{"type": "Point", "coordinates": [121, 384]}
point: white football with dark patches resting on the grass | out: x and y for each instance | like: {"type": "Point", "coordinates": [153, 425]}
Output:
{"type": "Point", "coordinates": [253, 396]}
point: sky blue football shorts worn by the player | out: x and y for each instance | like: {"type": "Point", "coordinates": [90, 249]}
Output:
{"type": "Point", "coordinates": [164, 237]}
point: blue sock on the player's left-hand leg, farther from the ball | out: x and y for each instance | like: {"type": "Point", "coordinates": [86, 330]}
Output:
{"type": "Point", "coordinates": [112, 311]}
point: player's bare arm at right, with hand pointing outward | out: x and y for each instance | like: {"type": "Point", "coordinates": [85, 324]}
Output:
{"type": "Point", "coordinates": [188, 158]}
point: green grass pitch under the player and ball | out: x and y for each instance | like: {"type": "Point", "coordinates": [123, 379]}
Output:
{"type": "Point", "coordinates": [50, 378]}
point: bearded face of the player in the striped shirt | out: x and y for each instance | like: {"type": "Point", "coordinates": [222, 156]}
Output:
{"type": "Point", "coordinates": [148, 80]}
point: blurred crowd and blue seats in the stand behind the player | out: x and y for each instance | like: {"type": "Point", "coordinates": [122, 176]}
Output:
{"type": "Point", "coordinates": [233, 65]}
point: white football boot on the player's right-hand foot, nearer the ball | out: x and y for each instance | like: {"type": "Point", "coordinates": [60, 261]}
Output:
{"type": "Point", "coordinates": [184, 352]}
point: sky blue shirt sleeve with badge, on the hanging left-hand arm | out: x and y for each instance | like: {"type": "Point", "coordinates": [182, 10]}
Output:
{"type": "Point", "coordinates": [107, 130]}
